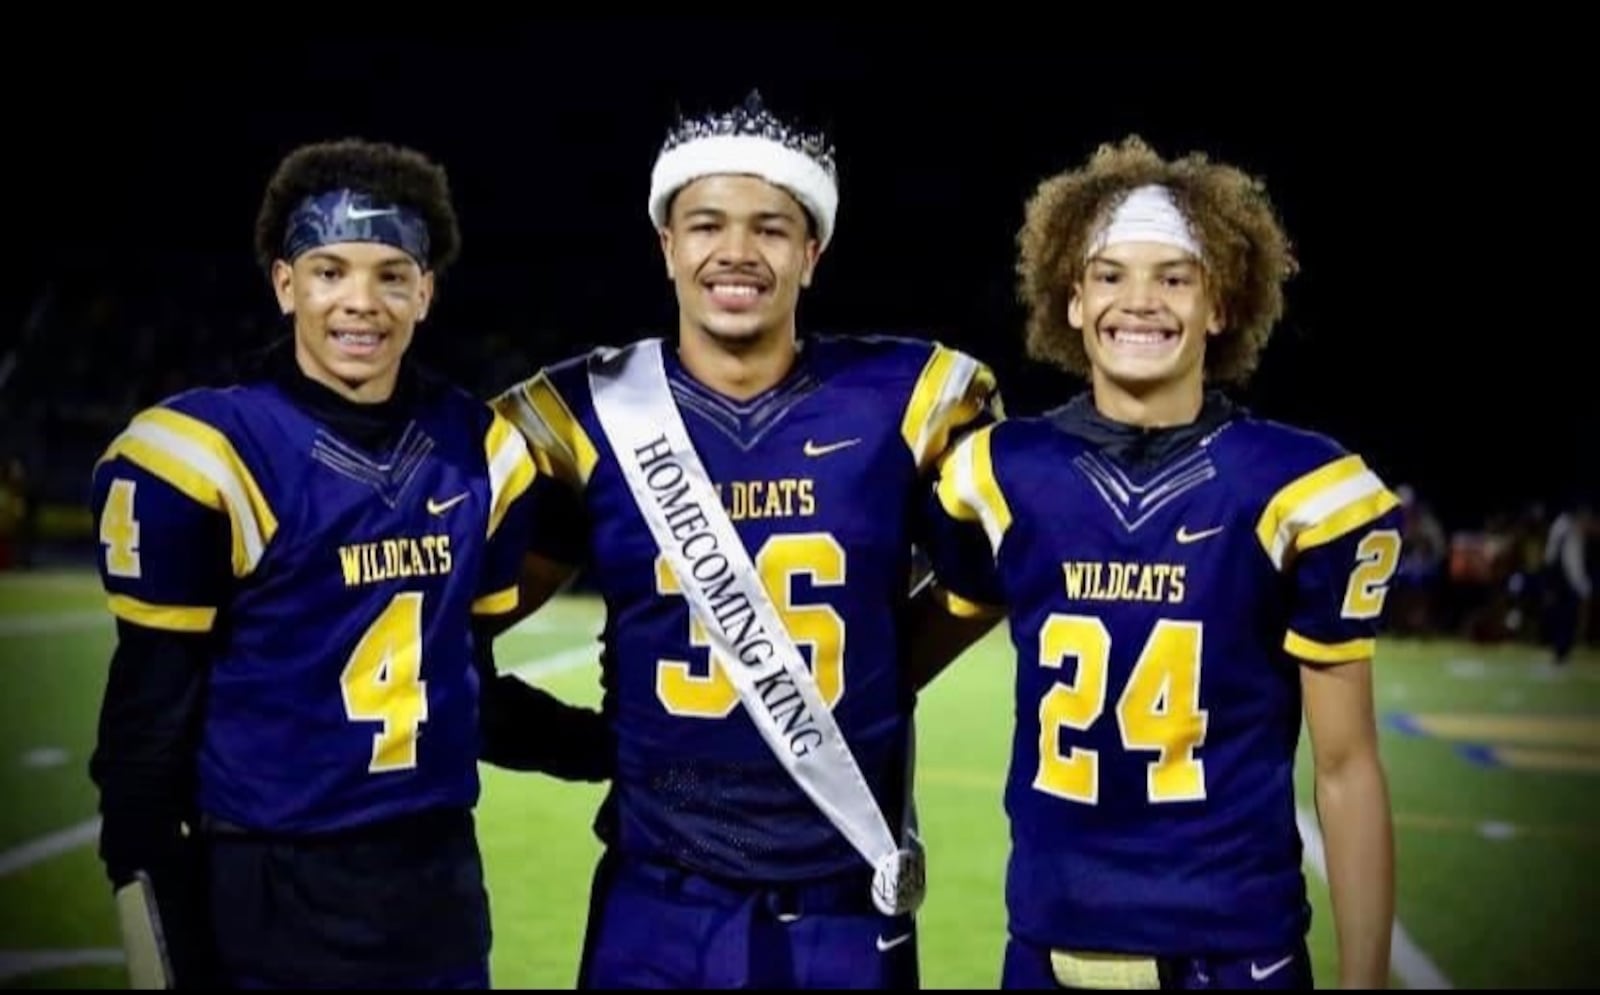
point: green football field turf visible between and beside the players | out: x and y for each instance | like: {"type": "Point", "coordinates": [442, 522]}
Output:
{"type": "Point", "coordinates": [1494, 762]}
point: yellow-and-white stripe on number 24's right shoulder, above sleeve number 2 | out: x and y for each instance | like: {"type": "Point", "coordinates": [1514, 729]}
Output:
{"type": "Point", "coordinates": [1321, 506]}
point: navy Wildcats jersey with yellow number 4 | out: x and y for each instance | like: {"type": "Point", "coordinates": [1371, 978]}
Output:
{"type": "Point", "coordinates": [340, 588]}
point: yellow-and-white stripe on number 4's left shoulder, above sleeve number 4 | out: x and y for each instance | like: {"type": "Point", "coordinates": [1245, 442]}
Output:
{"type": "Point", "coordinates": [202, 463]}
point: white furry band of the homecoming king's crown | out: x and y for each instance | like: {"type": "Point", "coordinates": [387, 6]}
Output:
{"type": "Point", "coordinates": [753, 154]}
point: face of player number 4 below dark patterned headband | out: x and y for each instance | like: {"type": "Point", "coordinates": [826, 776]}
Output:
{"type": "Point", "coordinates": [356, 308]}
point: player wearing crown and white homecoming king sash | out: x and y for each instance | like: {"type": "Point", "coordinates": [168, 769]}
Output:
{"type": "Point", "coordinates": [748, 501]}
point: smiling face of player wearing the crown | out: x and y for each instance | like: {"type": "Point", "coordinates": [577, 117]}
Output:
{"type": "Point", "coordinates": [738, 252]}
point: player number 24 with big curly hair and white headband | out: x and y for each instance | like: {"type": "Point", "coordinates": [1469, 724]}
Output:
{"type": "Point", "coordinates": [1183, 580]}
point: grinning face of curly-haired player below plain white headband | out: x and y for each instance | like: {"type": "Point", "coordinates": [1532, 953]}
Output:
{"type": "Point", "coordinates": [1145, 313]}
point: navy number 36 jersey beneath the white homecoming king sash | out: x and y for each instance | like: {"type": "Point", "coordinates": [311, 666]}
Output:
{"type": "Point", "coordinates": [823, 478]}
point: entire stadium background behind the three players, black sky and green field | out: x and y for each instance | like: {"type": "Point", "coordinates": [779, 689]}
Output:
{"type": "Point", "coordinates": [1434, 329]}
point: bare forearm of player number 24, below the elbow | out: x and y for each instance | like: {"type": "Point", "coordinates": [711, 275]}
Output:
{"type": "Point", "coordinates": [1353, 804]}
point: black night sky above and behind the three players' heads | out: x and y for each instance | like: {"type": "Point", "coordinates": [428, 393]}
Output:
{"type": "Point", "coordinates": [1414, 332]}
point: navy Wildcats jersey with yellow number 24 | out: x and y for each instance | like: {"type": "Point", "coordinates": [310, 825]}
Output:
{"type": "Point", "coordinates": [1159, 625]}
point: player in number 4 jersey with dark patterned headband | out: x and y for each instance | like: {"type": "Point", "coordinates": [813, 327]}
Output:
{"type": "Point", "coordinates": [290, 733]}
